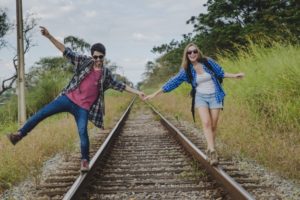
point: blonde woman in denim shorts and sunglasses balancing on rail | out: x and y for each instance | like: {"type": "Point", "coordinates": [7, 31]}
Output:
{"type": "Point", "coordinates": [205, 75]}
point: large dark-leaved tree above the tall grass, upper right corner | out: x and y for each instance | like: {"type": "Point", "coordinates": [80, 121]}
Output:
{"type": "Point", "coordinates": [229, 22]}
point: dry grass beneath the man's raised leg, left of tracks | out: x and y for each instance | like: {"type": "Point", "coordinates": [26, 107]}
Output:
{"type": "Point", "coordinates": [26, 158]}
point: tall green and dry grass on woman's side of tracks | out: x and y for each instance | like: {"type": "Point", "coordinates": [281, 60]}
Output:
{"type": "Point", "coordinates": [261, 118]}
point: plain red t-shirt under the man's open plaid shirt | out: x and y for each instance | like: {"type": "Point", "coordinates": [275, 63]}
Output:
{"type": "Point", "coordinates": [87, 92]}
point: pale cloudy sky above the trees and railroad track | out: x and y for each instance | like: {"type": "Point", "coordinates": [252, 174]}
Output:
{"type": "Point", "coordinates": [128, 29]}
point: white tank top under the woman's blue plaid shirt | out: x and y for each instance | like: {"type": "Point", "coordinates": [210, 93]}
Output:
{"type": "Point", "coordinates": [205, 84]}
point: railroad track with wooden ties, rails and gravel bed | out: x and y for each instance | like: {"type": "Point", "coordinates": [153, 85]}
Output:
{"type": "Point", "coordinates": [146, 157]}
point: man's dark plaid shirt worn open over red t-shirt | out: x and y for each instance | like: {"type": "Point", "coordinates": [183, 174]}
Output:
{"type": "Point", "coordinates": [83, 65]}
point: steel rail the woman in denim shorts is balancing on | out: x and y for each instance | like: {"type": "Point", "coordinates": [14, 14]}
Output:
{"type": "Point", "coordinates": [235, 190]}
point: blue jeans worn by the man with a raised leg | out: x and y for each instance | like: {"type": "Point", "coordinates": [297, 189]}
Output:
{"type": "Point", "coordinates": [63, 104]}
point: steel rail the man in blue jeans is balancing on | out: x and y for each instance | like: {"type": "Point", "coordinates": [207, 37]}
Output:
{"type": "Point", "coordinates": [76, 189]}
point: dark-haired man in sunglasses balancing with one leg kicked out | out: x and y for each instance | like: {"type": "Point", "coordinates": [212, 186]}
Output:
{"type": "Point", "coordinates": [83, 97]}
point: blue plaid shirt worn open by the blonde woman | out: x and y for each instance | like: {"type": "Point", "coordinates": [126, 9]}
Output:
{"type": "Point", "coordinates": [182, 76]}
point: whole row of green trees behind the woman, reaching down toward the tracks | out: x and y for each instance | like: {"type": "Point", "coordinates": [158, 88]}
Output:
{"type": "Point", "coordinates": [227, 26]}
